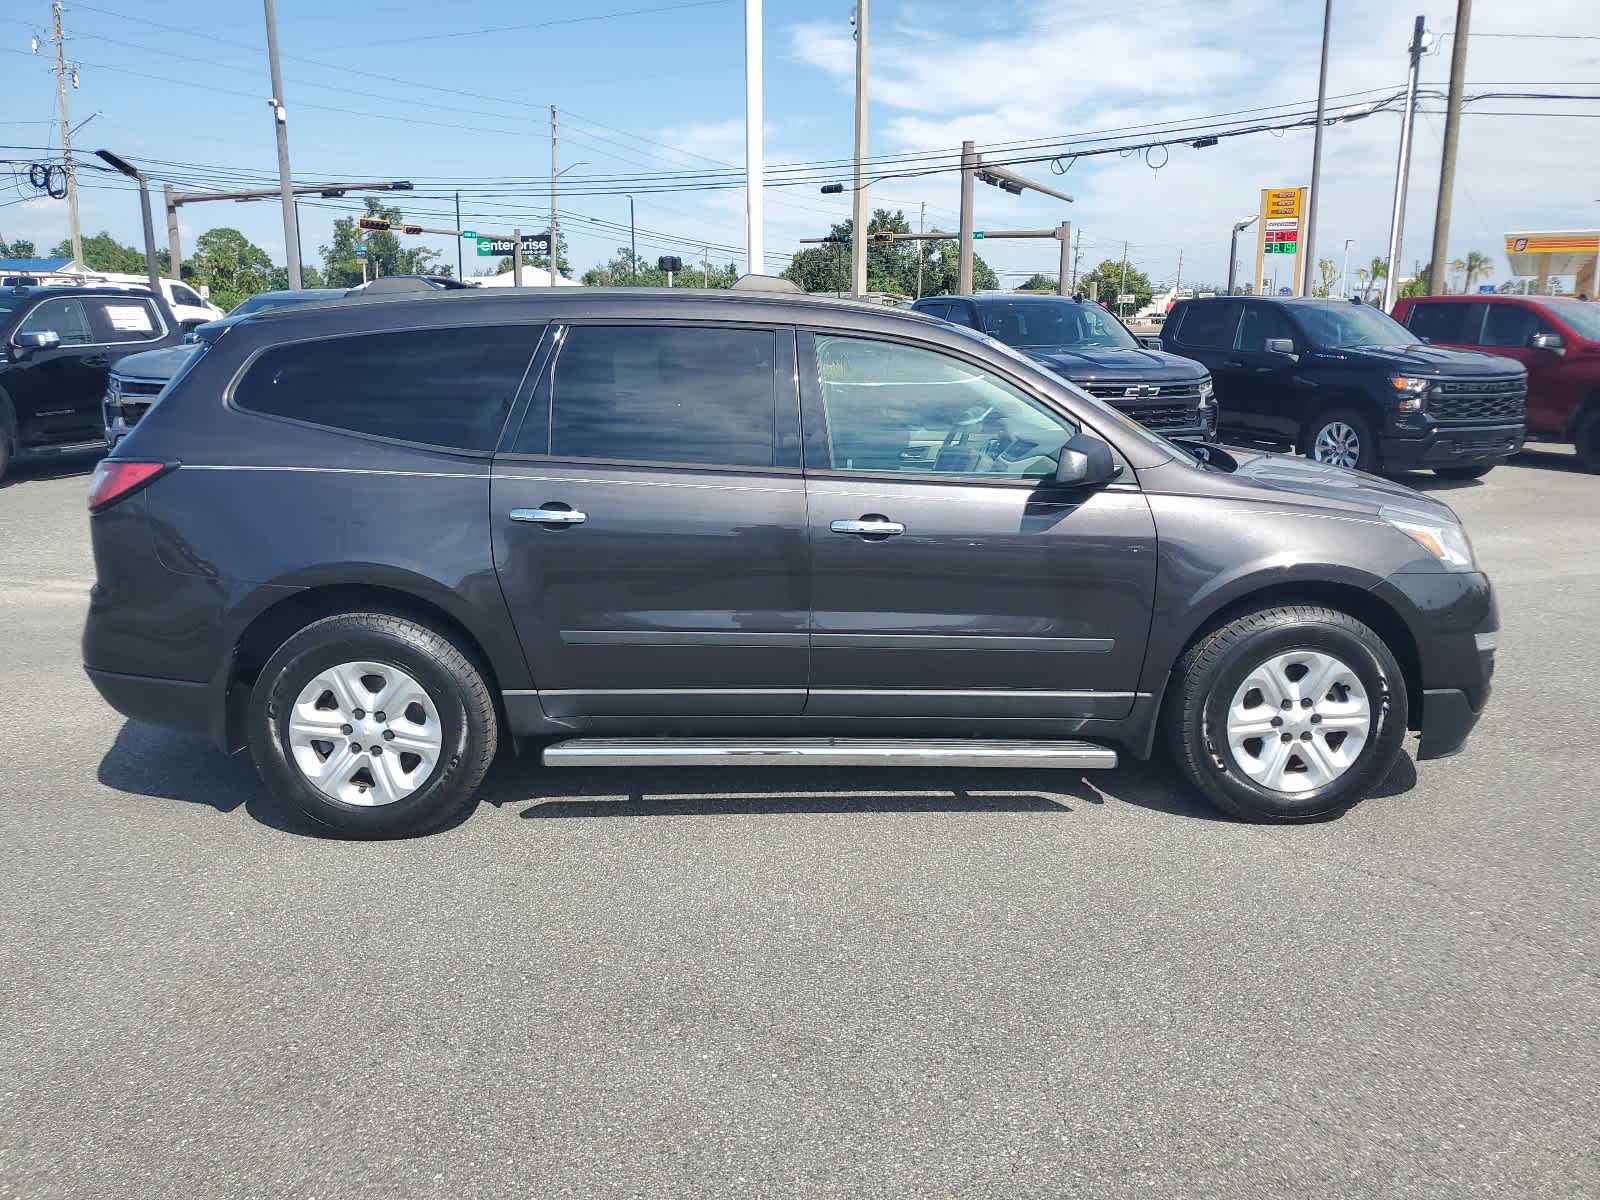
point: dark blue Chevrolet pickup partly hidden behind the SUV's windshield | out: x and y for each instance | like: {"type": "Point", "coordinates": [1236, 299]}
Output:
{"type": "Point", "coordinates": [1087, 346]}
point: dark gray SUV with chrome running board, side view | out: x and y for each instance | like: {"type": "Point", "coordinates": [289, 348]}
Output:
{"type": "Point", "coordinates": [660, 529]}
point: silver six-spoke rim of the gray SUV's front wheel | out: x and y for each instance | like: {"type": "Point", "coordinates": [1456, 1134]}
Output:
{"type": "Point", "coordinates": [1298, 722]}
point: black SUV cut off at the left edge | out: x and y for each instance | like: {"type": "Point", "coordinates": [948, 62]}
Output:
{"type": "Point", "coordinates": [57, 350]}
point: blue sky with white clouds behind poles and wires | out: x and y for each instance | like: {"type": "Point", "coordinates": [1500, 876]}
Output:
{"type": "Point", "coordinates": [458, 97]}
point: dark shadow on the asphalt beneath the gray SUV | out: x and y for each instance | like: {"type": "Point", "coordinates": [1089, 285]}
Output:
{"type": "Point", "coordinates": [166, 766]}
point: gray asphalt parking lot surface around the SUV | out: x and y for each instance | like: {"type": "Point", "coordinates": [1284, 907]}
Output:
{"type": "Point", "coordinates": [807, 983]}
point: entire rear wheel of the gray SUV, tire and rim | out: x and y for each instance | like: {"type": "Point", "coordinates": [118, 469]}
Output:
{"type": "Point", "coordinates": [372, 726]}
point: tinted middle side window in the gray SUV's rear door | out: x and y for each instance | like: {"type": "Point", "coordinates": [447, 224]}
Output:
{"type": "Point", "coordinates": [650, 394]}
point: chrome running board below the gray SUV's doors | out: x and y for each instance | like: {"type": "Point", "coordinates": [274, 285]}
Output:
{"type": "Point", "coordinates": [825, 753]}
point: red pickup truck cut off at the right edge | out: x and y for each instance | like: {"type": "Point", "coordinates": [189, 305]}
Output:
{"type": "Point", "coordinates": [1558, 338]}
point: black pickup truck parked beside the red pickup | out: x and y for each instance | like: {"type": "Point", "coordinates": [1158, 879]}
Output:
{"type": "Point", "coordinates": [1346, 385]}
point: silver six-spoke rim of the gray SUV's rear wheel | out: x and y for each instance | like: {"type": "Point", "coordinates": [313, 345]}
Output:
{"type": "Point", "coordinates": [366, 734]}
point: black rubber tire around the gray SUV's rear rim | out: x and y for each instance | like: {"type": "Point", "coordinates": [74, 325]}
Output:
{"type": "Point", "coordinates": [454, 686]}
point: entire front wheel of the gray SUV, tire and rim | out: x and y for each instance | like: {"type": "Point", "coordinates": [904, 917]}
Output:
{"type": "Point", "coordinates": [1289, 714]}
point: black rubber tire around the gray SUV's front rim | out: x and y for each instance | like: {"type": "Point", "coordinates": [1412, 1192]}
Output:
{"type": "Point", "coordinates": [1214, 670]}
